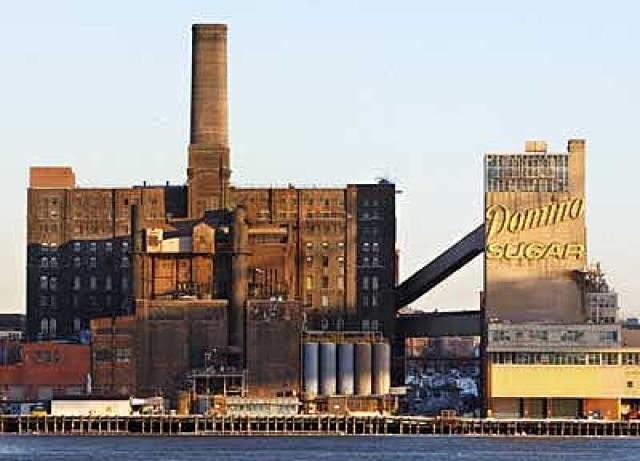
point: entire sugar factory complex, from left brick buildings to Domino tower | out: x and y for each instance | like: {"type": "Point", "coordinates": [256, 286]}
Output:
{"type": "Point", "coordinates": [221, 299]}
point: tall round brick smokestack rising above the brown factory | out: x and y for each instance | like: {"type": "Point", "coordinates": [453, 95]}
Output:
{"type": "Point", "coordinates": [208, 172]}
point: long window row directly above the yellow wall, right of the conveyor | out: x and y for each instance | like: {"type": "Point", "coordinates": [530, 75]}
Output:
{"type": "Point", "coordinates": [564, 358]}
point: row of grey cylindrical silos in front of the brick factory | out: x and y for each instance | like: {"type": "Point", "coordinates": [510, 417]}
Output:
{"type": "Point", "coordinates": [346, 368]}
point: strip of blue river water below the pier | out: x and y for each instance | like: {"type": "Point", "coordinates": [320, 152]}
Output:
{"type": "Point", "coordinates": [315, 448]}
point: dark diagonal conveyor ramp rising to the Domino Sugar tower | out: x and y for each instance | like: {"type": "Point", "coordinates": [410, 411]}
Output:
{"type": "Point", "coordinates": [440, 268]}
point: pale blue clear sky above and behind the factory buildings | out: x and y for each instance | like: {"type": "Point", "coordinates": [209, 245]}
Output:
{"type": "Point", "coordinates": [330, 93]}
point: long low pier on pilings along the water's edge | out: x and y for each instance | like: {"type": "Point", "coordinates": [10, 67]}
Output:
{"type": "Point", "coordinates": [306, 425]}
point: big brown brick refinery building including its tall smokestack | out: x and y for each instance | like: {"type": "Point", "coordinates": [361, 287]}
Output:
{"type": "Point", "coordinates": [331, 249]}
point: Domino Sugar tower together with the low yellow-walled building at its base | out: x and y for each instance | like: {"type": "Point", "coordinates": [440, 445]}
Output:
{"type": "Point", "coordinates": [555, 346]}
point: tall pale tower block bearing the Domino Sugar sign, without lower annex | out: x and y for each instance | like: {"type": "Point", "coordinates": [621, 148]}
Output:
{"type": "Point", "coordinates": [535, 234]}
